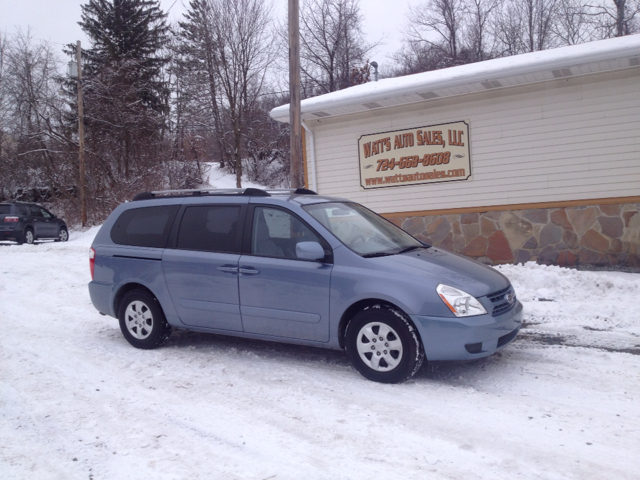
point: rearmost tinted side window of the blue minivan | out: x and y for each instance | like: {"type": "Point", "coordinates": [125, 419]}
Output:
{"type": "Point", "coordinates": [144, 227]}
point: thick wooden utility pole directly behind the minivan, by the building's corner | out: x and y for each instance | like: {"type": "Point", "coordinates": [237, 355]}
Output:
{"type": "Point", "coordinates": [295, 119]}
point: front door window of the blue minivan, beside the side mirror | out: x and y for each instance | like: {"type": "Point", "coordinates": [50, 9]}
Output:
{"type": "Point", "coordinates": [276, 233]}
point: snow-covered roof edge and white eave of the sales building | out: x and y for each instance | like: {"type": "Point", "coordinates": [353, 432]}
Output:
{"type": "Point", "coordinates": [584, 59]}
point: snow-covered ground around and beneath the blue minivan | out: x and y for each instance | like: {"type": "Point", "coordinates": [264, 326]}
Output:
{"type": "Point", "coordinates": [76, 401]}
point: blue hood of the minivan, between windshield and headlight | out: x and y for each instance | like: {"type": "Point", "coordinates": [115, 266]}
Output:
{"type": "Point", "coordinates": [448, 268]}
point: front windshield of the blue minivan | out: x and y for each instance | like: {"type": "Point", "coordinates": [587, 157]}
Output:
{"type": "Point", "coordinates": [363, 231]}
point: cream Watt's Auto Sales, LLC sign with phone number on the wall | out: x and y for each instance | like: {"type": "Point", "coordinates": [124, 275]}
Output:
{"type": "Point", "coordinates": [431, 154]}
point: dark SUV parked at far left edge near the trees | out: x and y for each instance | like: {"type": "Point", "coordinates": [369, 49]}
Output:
{"type": "Point", "coordinates": [28, 222]}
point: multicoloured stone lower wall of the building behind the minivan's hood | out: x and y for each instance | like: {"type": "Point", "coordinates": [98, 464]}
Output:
{"type": "Point", "coordinates": [595, 235]}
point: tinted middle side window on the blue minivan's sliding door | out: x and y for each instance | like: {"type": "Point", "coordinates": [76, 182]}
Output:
{"type": "Point", "coordinates": [210, 228]}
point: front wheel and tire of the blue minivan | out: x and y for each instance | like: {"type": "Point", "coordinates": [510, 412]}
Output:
{"type": "Point", "coordinates": [383, 345]}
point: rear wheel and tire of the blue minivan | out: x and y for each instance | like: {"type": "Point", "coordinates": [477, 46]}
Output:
{"type": "Point", "coordinates": [142, 320]}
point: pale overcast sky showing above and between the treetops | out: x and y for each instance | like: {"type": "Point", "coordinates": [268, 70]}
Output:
{"type": "Point", "coordinates": [56, 20]}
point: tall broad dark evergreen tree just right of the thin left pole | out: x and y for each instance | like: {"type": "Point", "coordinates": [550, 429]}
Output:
{"type": "Point", "coordinates": [126, 98]}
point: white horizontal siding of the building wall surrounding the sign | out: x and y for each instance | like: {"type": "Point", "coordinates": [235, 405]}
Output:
{"type": "Point", "coordinates": [569, 139]}
